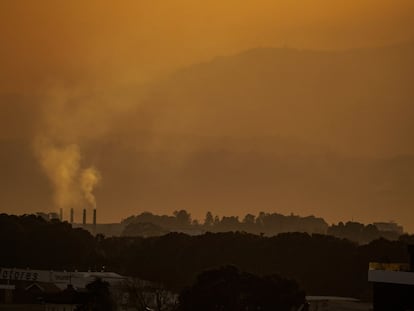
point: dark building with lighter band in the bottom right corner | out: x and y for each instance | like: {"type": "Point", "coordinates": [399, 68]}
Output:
{"type": "Point", "coordinates": [393, 284]}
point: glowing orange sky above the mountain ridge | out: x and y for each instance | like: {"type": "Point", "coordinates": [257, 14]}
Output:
{"type": "Point", "coordinates": [135, 40]}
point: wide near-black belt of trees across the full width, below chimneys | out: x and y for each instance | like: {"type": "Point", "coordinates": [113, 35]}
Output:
{"type": "Point", "coordinates": [321, 264]}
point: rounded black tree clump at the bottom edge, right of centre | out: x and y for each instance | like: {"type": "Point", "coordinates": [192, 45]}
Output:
{"type": "Point", "coordinates": [229, 289]}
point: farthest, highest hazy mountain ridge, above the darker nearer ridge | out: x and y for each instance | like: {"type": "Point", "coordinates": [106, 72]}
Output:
{"type": "Point", "coordinates": [353, 100]}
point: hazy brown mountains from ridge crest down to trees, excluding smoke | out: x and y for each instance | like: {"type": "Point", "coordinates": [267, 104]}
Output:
{"type": "Point", "coordinates": [282, 130]}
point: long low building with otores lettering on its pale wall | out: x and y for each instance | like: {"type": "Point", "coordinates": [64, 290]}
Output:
{"type": "Point", "coordinates": [33, 290]}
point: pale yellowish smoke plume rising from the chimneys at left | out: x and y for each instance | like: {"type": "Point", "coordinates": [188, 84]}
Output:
{"type": "Point", "coordinates": [63, 127]}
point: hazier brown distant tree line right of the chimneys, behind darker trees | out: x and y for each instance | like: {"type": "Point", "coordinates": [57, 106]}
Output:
{"type": "Point", "coordinates": [269, 224]}
